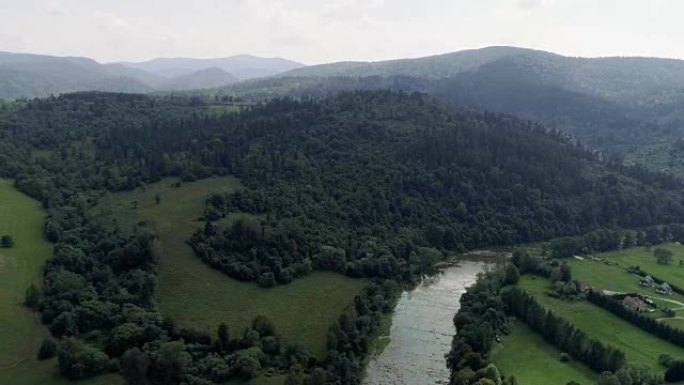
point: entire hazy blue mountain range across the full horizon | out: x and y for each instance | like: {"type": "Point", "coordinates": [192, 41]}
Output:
{"type": "Point", "coordinates": [628, 107]}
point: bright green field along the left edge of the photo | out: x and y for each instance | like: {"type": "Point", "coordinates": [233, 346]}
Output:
{"type": "Point", "coordinates": [20, 332]}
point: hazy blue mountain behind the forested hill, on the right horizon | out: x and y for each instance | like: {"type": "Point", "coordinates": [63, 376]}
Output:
{"type": "Point", "coordinates": [628, 106]}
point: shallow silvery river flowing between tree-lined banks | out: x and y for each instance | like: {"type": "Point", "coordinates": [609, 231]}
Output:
{"type": "Point", "coordinates": [422, 329]}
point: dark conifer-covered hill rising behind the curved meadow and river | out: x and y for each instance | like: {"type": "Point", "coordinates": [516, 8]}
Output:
{"type": "Point", "coordinates": [370, 162]}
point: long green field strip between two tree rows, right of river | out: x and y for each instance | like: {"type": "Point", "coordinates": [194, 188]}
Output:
{"type": "Point", "coordinates": [640, 348]}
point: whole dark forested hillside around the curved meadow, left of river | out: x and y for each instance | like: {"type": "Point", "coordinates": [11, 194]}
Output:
{"type": "Point", "coordinates": [368, 184]}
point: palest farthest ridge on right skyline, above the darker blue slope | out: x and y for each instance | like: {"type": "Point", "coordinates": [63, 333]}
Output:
{"type": "Point", "coordinates": [613, 78]}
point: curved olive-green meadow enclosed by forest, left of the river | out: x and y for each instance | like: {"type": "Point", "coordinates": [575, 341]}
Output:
{"type": "Point", "coordinates": [196, 295]}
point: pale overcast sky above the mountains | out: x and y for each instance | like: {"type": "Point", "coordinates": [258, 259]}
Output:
{"type": "Point", "coordinates": [320, 31]}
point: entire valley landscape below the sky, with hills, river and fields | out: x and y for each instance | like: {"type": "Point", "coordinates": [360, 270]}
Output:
{"type": "Point", "coordinates": [247, 220]}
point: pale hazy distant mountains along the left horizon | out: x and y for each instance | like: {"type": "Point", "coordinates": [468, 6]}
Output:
{"type": "Point", "coordinates": [31, 75]}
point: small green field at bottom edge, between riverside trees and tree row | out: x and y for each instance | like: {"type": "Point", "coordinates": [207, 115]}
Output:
{"type": "Point", "coordinates": [524, 352]}
